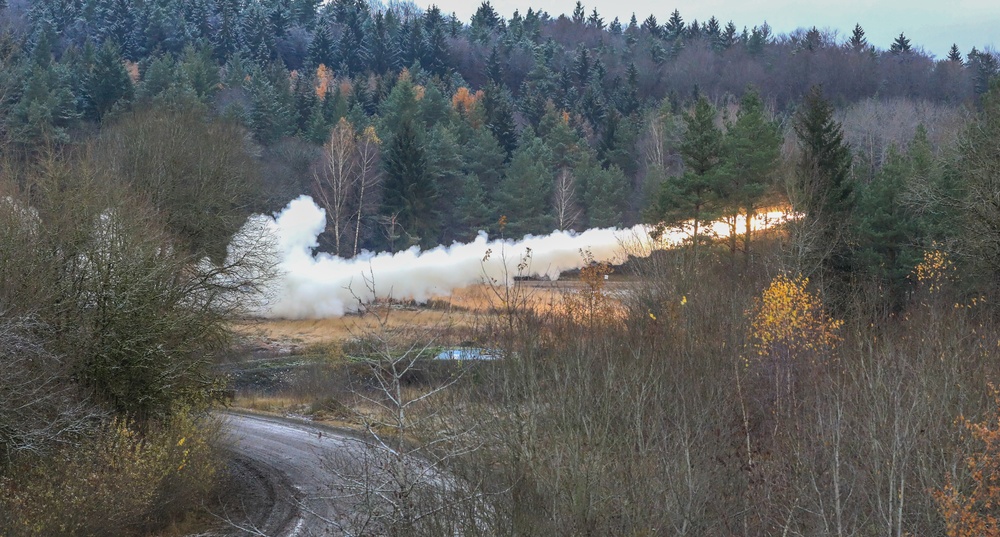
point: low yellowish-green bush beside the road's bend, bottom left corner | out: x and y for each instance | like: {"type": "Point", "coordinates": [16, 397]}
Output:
{"type": "Point", "coordinates": [120, 482]}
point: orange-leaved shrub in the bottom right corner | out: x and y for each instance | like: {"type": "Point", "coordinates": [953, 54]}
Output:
{"type": "Point", "coordinates": [975, 513]}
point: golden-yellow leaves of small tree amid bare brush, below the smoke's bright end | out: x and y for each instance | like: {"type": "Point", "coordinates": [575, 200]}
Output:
{"type": "Point", "coordinates": [789, 320]}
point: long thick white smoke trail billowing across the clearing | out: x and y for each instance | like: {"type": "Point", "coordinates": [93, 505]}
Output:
{"type": "Point", "coordinates": [311, 286]}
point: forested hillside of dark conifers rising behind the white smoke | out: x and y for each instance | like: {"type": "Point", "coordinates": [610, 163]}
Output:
{"type": "Point", "coordinates": [554, 121]}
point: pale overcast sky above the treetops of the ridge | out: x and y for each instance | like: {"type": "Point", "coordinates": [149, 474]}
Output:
{"type": "Point", "coordinates": [932, 25]}
